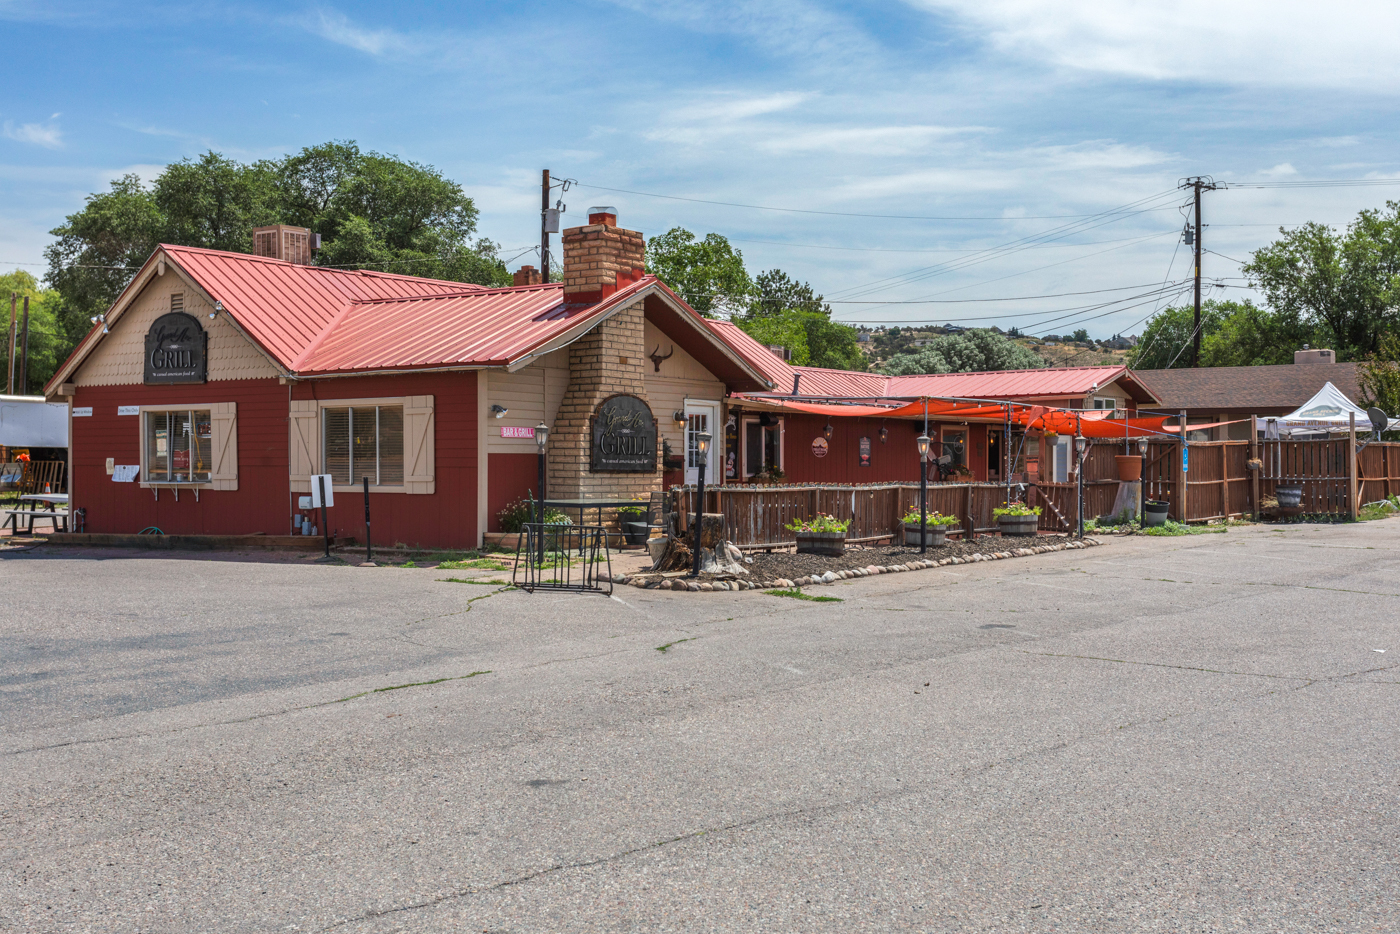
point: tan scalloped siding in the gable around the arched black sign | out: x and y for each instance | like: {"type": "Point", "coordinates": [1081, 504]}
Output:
{"type": "Point", "coordinates": [118, 361]}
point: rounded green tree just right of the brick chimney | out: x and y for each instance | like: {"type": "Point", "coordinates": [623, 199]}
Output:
{"type": "Point", "coordinates": [709, 274]}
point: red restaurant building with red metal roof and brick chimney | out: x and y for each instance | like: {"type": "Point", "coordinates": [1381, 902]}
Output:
{"type": "Point", "coordinates": [219, 384]}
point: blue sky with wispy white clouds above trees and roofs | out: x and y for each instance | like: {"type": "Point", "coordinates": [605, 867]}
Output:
{"type": "Point", "coordinates": [1017, 113]}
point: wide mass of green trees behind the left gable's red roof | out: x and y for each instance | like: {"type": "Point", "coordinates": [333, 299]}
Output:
{"type": "Point", "coordinates": [395, 216]}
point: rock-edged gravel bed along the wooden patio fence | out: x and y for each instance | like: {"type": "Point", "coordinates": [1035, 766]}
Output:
{"type": "Point", "coordinates": [787, 569]}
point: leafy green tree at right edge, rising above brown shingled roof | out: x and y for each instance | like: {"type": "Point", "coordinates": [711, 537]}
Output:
{"type": "Point", "coordinates": [1342, 286]}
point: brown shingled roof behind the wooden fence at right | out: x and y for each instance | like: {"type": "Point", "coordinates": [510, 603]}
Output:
{"type": "Point", "coordinates": [1248, 390]}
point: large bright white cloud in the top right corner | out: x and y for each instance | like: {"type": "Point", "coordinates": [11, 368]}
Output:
{"type": "Point", "coordinates": [1283, 43]}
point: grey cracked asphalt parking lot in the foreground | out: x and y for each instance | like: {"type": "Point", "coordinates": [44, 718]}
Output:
{"type": "Point", "coordinates": [1191, 734]}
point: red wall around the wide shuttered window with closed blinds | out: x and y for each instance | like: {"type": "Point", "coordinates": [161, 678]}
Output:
{"type": "Point", "coordinates": [447, 519]}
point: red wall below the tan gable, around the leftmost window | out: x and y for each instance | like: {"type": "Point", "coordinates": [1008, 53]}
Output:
{"type": "Point", "coordinates": [260, 505]}
